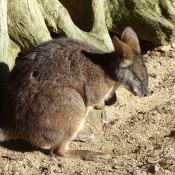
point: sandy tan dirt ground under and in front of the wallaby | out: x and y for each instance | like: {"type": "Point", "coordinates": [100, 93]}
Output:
{"type": "Point", "coordinates": [138, 132]}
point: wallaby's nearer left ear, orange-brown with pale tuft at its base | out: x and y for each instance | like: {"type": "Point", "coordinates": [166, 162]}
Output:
{"type": "Point", "coordinates": [120, 50]}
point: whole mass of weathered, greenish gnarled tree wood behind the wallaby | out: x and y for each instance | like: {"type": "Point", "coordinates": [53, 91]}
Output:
{"type": "Point", "coordinates": [27, 23]}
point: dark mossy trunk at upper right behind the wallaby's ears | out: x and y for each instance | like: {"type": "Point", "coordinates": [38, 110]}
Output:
{"type": "Point", "coordinates": [153, 20]}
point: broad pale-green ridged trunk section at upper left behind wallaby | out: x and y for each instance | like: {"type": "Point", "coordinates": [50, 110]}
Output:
{"type": "Point", "coordinates": [26, 25]}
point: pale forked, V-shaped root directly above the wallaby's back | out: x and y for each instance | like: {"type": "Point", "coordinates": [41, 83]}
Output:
{"type": "Point", "coordinates": [61, 22]}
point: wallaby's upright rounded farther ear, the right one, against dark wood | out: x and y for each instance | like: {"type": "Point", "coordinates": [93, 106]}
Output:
{"type": "Point", "coordinates": [130, 37]}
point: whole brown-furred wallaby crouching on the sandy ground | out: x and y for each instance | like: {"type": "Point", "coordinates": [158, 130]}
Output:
{"type": "Point", "coordinates": [49, 93]}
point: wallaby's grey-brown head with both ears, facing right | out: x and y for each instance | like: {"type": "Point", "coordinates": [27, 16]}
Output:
{"type": "Point", "coordinates": [132, 72]}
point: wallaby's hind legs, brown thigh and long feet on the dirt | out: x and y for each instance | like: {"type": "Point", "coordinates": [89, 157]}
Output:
{"type": "Point", "coordinates": [69, 121]}
